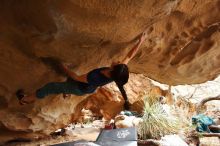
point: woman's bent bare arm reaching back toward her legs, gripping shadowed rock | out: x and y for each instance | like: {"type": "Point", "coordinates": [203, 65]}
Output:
{"type": "Point", "coordinates": [81, 78]}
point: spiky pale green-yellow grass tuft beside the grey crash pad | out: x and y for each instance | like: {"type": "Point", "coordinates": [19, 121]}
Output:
{"type": "Point", "coordinates": [156, 122]}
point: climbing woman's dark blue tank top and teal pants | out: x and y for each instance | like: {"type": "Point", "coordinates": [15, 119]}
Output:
{"type": "Point", "coordinates": [95, 79]}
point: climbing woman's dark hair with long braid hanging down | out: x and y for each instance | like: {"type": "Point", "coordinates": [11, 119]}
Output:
{"type": "Point", "coordinates": [120, 75]}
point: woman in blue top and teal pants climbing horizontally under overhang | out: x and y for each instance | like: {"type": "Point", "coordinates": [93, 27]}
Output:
{"type": "Point", "coordinates": [87, 83]}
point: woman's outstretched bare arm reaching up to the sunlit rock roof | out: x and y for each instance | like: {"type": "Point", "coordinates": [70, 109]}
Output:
{"type": "Point", "coordinates": [134, 50]}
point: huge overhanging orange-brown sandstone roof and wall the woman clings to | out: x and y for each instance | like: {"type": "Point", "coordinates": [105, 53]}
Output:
{"type": "Point", "coordinates": [182, 47]}
